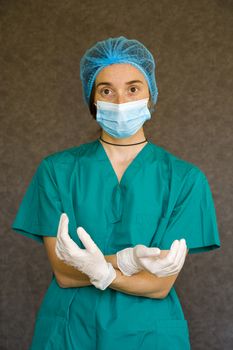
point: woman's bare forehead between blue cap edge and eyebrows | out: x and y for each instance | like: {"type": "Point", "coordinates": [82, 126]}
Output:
{"type": "Point", "coordinates": [120, 72]}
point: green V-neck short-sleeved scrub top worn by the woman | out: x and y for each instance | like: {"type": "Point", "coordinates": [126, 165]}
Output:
{"type": "Point", "coordinates": [160, 198]}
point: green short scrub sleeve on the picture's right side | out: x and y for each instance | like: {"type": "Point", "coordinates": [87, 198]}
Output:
{"type": "Point", "coordinates": [193, 218]}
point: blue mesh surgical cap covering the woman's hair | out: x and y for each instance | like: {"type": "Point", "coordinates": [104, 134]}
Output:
{"type": "Point", "coordinates": [117, 50]}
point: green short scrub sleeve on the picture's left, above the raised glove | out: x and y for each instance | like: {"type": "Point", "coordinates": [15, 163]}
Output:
{"type": "Point", "coordinates": [40, 209]}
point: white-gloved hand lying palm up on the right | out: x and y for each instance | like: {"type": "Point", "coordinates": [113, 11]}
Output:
{"type": "Point", "coordinates": [140, 257]}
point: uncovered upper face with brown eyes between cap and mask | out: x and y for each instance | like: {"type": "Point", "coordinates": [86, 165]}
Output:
{"type": "Point", "coordinates": [120, 83]}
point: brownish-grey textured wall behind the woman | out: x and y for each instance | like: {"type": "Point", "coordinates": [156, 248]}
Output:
{"type": "Point", "coordinates": [42, 111]}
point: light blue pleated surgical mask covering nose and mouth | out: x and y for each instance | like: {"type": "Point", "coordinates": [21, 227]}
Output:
{"type": "Point", "coordinates": [122, 119]}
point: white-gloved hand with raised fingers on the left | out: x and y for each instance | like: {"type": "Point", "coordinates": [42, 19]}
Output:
{"type": "Point", "coordinates": [90, 261]}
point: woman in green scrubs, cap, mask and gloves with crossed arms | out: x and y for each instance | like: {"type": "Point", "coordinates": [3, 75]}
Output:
{"type": "Point", "coordinates": [117, 216]}
